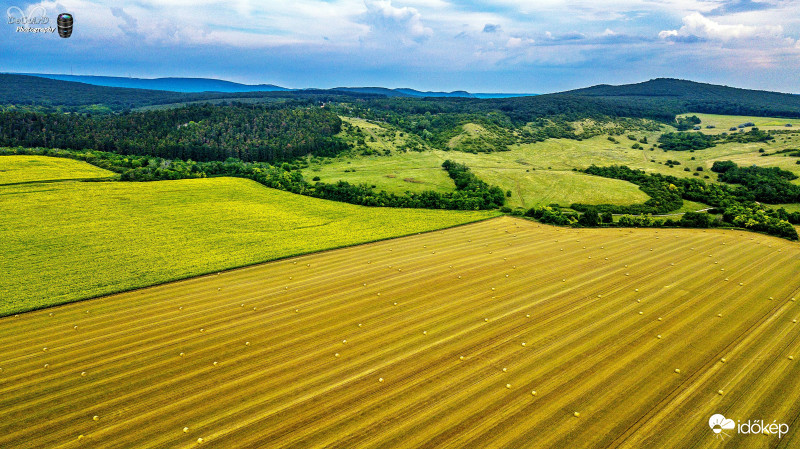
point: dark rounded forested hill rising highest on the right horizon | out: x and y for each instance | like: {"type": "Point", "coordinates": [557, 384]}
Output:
{"type": "Point", "coordinates": [697, 97]}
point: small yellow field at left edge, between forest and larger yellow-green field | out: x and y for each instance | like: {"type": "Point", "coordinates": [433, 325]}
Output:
{"type": "Point", "coordinates": [17, 169]}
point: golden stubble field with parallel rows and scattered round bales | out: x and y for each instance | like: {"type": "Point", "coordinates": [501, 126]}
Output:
{"type": "Point", "coordinates": [503, 333]}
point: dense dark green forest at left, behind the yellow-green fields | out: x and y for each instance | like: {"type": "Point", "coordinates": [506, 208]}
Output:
{"type": "Point", "coordinates": [197, 132]}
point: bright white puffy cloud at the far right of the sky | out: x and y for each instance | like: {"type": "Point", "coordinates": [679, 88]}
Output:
{"type": "Point", "coordinates": [695, 25]}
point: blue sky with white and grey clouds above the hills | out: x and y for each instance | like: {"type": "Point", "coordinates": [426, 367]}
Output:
{"type": "Point", "coordinates": [534, 46]}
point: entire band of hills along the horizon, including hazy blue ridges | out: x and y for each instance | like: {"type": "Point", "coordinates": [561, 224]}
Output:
{"type": "Point", "coordinates": [659, 99]}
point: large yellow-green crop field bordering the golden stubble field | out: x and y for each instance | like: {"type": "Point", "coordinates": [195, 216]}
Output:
{"type": "Point", "coordinates": [69, 240]}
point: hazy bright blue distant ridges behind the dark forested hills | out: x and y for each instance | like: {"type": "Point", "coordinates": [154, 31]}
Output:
{"type": "Point", "coordinates": [197, 85]}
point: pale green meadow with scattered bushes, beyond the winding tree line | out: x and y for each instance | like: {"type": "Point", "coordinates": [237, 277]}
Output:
{"type": "Point", "coordinates": [541, 173]}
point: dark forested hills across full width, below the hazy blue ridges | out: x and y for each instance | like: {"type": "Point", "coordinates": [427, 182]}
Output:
{"type": "Point", "coordinates": [659, 99]}
